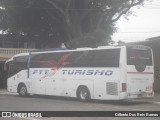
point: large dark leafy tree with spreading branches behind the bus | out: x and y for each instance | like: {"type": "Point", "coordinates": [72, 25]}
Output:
{"type": "Point", "coordinates": [77, 23]}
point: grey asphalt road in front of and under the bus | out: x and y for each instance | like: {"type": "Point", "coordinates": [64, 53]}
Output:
{"type": "Point", "coordinates": [48, 103]}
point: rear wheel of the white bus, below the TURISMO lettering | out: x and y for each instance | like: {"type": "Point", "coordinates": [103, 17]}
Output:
{"type": "Point", "coordinates": [83, 94]}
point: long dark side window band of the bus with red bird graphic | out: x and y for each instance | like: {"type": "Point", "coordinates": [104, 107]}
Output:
{"type": "Point", "coordinates": [89, 58]}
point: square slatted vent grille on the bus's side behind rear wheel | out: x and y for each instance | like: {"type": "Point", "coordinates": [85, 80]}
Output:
{"type": "Point", "coordinates": [112, 88]}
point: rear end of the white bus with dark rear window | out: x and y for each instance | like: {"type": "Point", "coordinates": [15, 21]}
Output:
{"type": "Point", "coordinates": [140, 72]}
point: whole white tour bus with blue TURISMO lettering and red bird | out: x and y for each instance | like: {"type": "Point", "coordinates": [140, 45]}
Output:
{"type": "Point", "coordinates": [104, 73]}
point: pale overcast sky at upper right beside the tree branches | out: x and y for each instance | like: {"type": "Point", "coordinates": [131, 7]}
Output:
{"type": "Point", "coordinates": [144, 24]}
